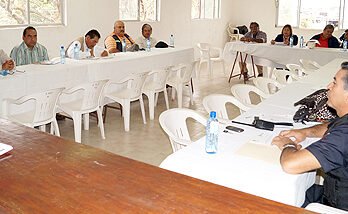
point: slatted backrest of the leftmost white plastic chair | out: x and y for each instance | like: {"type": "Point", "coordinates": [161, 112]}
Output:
{"type": "Point", "coordinates": [46, 103]}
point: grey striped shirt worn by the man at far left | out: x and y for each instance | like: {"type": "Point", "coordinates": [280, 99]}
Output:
{"type": "Point", "coordinates": [22, 55]}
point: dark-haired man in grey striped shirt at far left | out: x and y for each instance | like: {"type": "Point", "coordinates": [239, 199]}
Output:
{"type": "Point", "coordinates": [29, 51]}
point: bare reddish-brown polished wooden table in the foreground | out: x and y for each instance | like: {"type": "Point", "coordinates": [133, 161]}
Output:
{"type": "Point", "coordinates": [48, 174]}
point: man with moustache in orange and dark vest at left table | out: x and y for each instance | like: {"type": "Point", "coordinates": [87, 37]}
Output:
{"type": "Point", "coordinates": [113, 42]}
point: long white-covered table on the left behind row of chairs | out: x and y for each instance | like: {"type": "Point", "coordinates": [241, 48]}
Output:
{"type": "Point", "coordinates": [37, 78]}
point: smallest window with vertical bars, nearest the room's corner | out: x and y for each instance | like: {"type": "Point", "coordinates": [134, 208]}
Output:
{"type": "Point", "coordinates": [205, 9]}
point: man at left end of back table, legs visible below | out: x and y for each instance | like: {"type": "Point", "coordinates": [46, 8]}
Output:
{"type": "Point", "coordinates": [254, 35]}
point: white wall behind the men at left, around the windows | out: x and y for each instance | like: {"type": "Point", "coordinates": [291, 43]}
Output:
{"type": "Point", "coordinates": [84, 15]}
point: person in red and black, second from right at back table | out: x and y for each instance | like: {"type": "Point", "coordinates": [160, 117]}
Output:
{"type": "Point", "coordinates": [326, 39]}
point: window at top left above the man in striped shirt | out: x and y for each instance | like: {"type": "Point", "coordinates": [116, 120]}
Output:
{"type": "Point", "coordinates": [31, 12]}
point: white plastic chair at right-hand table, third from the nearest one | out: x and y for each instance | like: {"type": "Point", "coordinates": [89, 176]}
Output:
{"type": "Point", "coordinates": [242, 93]}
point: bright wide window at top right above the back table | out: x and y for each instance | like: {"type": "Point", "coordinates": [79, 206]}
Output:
{"type": "Point", "coordinates": [312, 14]}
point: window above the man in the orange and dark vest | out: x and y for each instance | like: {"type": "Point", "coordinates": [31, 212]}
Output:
{"type": "Point", "coordinates": [140, 10]}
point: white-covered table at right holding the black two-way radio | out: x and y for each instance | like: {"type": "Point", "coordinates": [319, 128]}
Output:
{"type": "Point", "coordinates": [261, 176]}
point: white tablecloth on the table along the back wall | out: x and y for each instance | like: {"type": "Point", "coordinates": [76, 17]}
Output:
{"type": "Point", "coordinates": [281, 54]}
